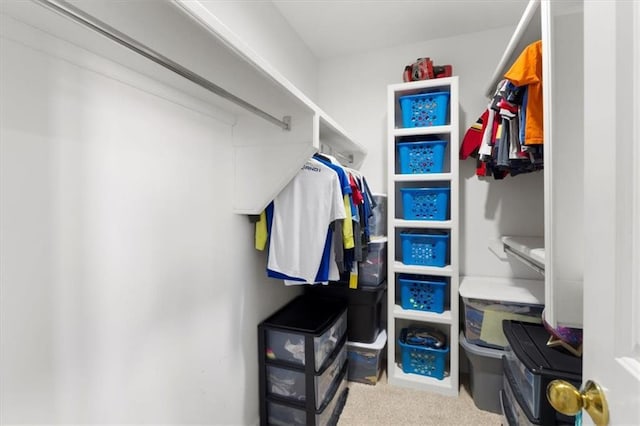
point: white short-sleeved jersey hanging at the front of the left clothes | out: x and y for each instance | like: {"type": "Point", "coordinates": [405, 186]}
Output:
{"type": "Point", "coordinates": [302, 213]}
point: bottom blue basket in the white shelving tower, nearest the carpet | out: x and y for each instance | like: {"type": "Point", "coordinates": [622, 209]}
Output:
{"type": "Point", "coordinates": [422, 360]}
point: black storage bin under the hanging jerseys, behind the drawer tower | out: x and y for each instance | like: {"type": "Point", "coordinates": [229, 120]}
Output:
{"type": "Point", "coordinates": [364, 315]}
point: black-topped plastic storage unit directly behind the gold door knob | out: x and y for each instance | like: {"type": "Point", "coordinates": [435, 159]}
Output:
{"type": "Point", "coordinates": [530, 365]}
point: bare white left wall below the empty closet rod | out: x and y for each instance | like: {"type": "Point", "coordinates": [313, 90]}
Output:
{"type": "Point", "coordinates": [130, 291]}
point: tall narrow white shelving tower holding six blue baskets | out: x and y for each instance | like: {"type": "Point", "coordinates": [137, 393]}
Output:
{"type": "Point", "coordinates": [398, 317]}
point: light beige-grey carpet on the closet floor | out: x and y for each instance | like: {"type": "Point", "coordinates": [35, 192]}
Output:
{"type": "Point", "coordinates": [382, 404]}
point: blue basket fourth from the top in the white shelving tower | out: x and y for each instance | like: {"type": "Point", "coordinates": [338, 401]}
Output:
{"type": "Point", "coordinates": [424, 249]}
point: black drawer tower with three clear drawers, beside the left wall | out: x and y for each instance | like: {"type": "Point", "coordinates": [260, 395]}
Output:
{"type": "Point", "coordinates": [302, 357]}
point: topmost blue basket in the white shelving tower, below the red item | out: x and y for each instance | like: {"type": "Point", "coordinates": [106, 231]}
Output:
{"type": "Point", "coordinates": [424, 109]}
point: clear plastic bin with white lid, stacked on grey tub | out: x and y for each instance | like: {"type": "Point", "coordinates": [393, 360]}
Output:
{"type": "Point", "coordinates": [489, 300]}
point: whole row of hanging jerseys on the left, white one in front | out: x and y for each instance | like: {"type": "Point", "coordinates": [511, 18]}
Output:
{"type": "Point", "coordinates": [301, 253]}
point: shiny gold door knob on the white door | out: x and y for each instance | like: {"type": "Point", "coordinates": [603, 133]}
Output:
{"type": "Point", "coordinates": [568, 400]}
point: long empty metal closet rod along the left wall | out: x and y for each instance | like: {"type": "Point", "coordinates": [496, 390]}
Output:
{"type": "Point", "coordinates": [69, 11]}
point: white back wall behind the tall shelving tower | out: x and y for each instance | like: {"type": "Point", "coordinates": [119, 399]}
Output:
{"type": "Point", "coordinates": [353, 91]}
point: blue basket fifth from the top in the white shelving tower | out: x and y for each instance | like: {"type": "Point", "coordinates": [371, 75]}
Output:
{"type": "Point", "coordinates": [422, 294]}
